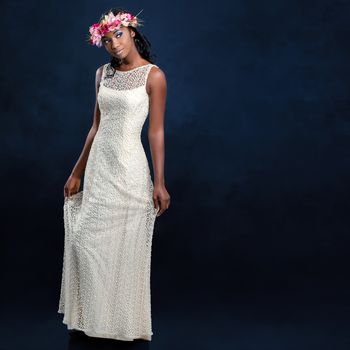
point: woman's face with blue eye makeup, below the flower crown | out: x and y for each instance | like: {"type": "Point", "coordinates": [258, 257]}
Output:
{"type": "Point", "coordinates": [119, 42]}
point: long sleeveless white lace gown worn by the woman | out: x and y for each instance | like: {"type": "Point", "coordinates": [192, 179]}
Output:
{"type": "Point", "coordinates": [105, 288]}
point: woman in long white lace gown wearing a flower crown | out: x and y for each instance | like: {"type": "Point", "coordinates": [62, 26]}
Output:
{"type": "Point", "coordinates": [105, 289]}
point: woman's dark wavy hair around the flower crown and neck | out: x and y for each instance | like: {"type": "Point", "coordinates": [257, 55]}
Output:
{"type": "Point", "coordinates": [142, 44]}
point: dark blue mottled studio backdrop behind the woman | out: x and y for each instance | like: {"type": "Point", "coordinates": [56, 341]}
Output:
{"type": "Point", "coordinates": [253, 252]}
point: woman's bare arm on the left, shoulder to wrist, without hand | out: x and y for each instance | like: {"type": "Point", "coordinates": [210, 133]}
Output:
{"type": "Point", "coordinates": [79, 167]}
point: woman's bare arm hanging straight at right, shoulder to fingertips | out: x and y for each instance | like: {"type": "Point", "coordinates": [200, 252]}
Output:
{"type": "Point", "coordinates": [157, 90]}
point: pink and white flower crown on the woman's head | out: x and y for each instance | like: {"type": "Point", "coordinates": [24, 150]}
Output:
{"type": "Point", "coordinates": [111, 22]}
